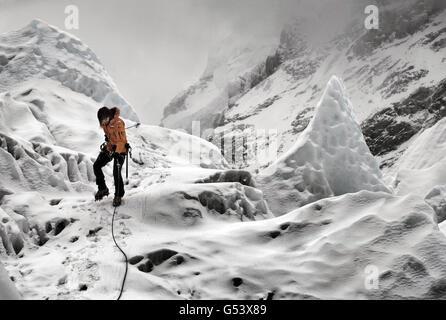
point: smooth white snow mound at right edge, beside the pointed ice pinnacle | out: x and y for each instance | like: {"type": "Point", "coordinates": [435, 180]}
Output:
{"type": "Point", "coordinates": [423, 165]}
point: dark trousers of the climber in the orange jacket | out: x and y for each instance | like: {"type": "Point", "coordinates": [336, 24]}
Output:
{"type": "Point", "coordinates": [101, 162]}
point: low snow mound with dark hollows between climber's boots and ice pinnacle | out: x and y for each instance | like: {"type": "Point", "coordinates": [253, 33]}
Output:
{"type": "Point", "coordinates": [176, 204]}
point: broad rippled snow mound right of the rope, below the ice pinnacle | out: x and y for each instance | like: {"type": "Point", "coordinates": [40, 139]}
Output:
{"type": "Point", "coordinates": [355, 246]}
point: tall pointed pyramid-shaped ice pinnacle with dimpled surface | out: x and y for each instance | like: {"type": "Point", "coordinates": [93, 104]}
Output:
{"type": "Point", "coordinates": [330, 158]}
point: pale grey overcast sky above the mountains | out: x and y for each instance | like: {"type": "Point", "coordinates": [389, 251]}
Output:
{"type": "Point", "coordinates": [153, 49]}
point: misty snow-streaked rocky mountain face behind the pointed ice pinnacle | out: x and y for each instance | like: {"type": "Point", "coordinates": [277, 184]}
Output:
{"type": "Point", "coordinates": [394, 77]}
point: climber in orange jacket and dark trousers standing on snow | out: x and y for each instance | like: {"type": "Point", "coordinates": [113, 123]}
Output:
{"type": "Point", "coordinates": [114, 148]}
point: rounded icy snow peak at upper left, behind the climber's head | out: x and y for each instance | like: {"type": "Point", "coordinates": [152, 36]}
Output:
{"type": "Point", "coordinates": [41, 51]}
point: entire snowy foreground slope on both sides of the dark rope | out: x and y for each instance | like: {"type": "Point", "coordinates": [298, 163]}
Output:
{"type": "Point", "coordinates": [356, 246]}
